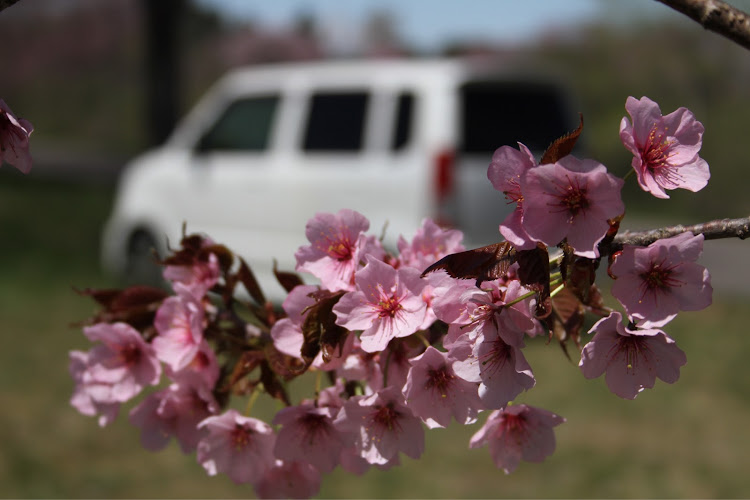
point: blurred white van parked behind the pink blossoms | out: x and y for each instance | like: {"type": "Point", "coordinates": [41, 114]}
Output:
{"type": "Point", "coordinates": [268, 147]}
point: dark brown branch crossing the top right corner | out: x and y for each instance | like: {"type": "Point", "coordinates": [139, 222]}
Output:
{"type": "Point", "coordinates": [716, 16]}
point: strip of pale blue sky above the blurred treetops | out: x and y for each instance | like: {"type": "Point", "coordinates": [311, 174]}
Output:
{"type": "Point", "coordinates": [428, 24]}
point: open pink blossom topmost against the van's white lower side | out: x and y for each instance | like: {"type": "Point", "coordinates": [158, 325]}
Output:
{"type": "Point", "coordinates": [337, 244]}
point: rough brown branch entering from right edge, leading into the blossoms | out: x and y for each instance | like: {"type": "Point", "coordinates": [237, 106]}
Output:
{"type": "Point", "coordinates": [711, 230]}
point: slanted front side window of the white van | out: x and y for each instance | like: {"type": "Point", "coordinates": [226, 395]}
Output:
{"type": "Point", "coordinates": [244, 126]}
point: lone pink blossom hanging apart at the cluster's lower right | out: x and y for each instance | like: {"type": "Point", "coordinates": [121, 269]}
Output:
{"type": "Point", "coordinates": [519, 432]}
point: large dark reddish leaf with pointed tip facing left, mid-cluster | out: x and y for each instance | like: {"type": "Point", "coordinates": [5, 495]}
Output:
{"type": "Point", "coordinates": [483, 264]}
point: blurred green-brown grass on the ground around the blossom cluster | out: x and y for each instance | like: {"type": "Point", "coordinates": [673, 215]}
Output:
{"type": "Point", "coordinates": [690, 439]}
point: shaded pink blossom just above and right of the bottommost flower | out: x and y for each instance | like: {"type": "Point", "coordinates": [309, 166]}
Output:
{"type": "Point", "coordinates": [308, 435]}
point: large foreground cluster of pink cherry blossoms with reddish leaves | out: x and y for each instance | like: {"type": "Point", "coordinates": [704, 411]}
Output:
{"type": "Point", "coordinates": [407, 339]}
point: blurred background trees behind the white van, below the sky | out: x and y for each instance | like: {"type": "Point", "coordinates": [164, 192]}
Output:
{"type": "Point", "coordinates": [78, 70]}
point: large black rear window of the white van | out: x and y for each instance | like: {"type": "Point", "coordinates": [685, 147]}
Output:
{"type": "Point", "coordinates": [498, 114]}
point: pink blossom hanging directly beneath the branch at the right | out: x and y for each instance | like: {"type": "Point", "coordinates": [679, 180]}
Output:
{"type": "Point", "coordinates": [656, 282]}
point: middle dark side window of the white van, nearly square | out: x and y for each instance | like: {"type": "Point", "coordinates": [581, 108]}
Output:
{"type": "Point", "coordinates": [336, 122]}
